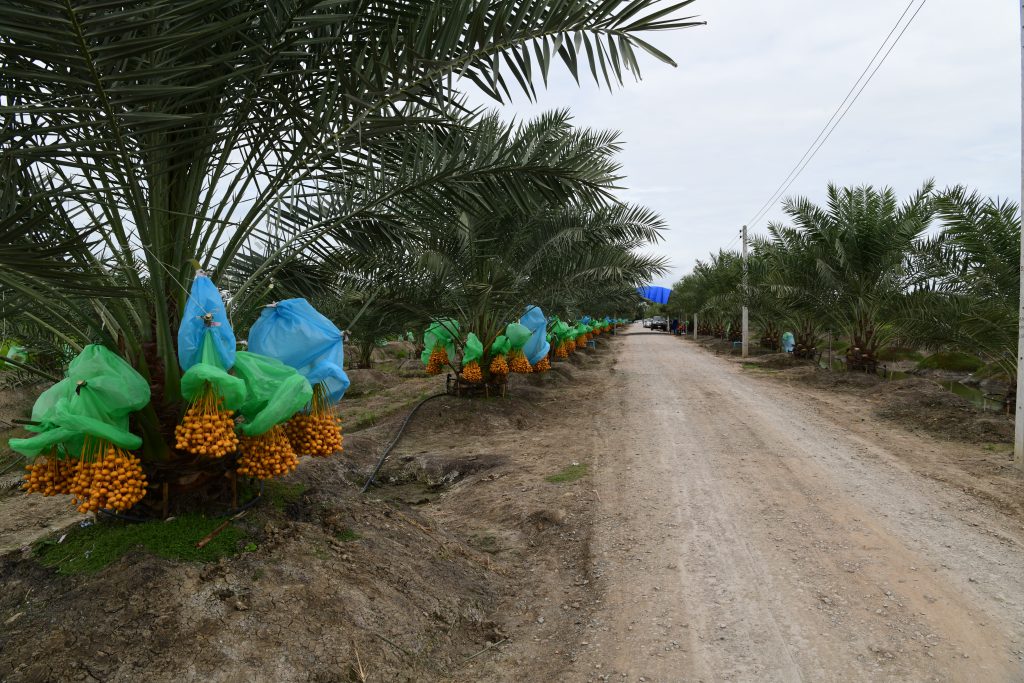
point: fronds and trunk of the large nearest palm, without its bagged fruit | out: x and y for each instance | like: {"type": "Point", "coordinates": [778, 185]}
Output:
{"type": "Point", "coordinates": [148, 140]}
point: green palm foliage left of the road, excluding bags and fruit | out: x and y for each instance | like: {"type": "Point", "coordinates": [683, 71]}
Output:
{"type": "Point", "coordinates": [305, 148]}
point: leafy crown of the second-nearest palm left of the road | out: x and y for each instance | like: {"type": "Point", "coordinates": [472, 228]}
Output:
{"type": "Point", "coordinates": [481, 255]}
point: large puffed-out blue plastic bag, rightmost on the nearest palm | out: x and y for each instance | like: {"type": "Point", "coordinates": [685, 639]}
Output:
{"type": "Point", "coordinates": [298, 335]}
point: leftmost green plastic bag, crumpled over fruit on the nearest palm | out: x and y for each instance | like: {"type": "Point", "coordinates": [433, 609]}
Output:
{"type": "Point", "coordinates": [95, 400]}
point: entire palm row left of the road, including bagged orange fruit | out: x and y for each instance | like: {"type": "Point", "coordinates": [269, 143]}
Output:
{"type": "Point", "coordinates": [176, 176]}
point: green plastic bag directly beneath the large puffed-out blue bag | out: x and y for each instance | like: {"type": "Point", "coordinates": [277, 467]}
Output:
{"type": "Point", "coordinates": [274, 393]}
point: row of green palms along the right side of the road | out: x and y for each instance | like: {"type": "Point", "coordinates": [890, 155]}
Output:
{"type": "Point", "coordinates": [937, 271]}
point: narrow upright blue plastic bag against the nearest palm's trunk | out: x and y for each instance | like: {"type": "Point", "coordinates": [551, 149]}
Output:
{"type": "Point", "coordinates": [205, 311]}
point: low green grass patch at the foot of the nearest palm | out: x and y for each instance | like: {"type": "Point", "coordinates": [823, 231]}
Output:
{"type": "Point", "coordinates": [90, 549]}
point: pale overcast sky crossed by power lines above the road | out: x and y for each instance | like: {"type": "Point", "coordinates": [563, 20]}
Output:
{"type": "Point", "coordinates": [708, 143]}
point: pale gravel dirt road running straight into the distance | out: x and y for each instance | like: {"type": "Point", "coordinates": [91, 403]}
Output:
{"type": "Point", "coordinates": [748, 535]}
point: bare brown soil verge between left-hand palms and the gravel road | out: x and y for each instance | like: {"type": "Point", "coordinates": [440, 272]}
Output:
{"type": "Point", "coordinates": [457, 557]}
